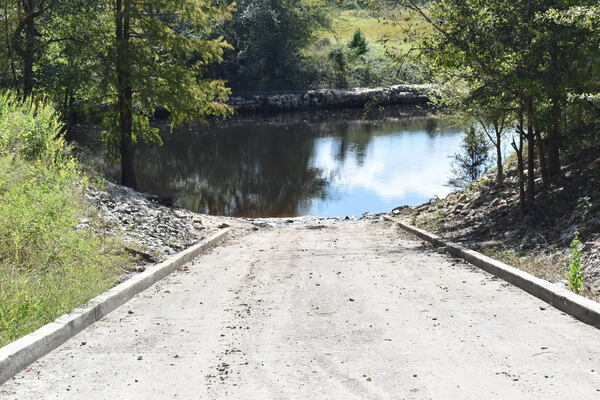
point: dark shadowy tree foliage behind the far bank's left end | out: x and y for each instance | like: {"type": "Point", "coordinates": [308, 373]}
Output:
{"type": "Point", "coordinates": [268, 39]}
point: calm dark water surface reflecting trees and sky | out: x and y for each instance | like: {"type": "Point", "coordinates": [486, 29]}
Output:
{"type": "Point", "coordinates": [333, 164]}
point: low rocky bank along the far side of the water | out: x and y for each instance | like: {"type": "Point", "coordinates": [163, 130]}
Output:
{"type": "Point", "coordinates": [323, 99]}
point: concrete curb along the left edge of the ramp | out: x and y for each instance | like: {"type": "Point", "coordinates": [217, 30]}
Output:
{"type": "Point", "coordinates": [21, 353]}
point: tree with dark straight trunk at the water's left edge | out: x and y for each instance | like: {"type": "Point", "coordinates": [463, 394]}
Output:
{"type": "Point", "coordinates": [152, 55]}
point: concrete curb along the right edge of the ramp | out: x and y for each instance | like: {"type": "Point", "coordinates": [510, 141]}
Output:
{"type": "Point", "coordinates": [583, 309]}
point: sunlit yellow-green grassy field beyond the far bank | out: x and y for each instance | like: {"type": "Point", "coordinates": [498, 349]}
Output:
{"type": "Point", "coordinates": [389, 34]}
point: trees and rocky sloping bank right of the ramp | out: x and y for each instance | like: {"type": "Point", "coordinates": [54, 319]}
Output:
{"type": "Point", "coordinates": [520, 75]}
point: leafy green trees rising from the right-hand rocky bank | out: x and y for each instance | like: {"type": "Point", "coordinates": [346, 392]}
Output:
{"type": "Point", "coordinates": [516, 50]}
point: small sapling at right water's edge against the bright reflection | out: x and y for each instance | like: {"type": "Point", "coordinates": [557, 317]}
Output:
{"type": "Point", "coordinates": [472, 161]}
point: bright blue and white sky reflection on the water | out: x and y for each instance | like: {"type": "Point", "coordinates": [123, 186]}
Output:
{"type": "Point", "coordinates": [402, 168]}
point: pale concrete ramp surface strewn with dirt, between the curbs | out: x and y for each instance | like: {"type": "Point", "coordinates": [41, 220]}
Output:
{"type": "Point", "coordinates": [346, 310]}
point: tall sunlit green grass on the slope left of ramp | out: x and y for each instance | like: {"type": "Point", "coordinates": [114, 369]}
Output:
{"type": "Point", "coordinates": [50, 262]}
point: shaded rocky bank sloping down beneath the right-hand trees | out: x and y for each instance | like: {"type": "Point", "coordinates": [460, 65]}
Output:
{"type": "Point", "coordinates": [486, 218]}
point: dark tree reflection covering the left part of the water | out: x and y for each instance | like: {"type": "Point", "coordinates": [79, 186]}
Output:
{"type": "Point", "coordinates": [265, 166]}
